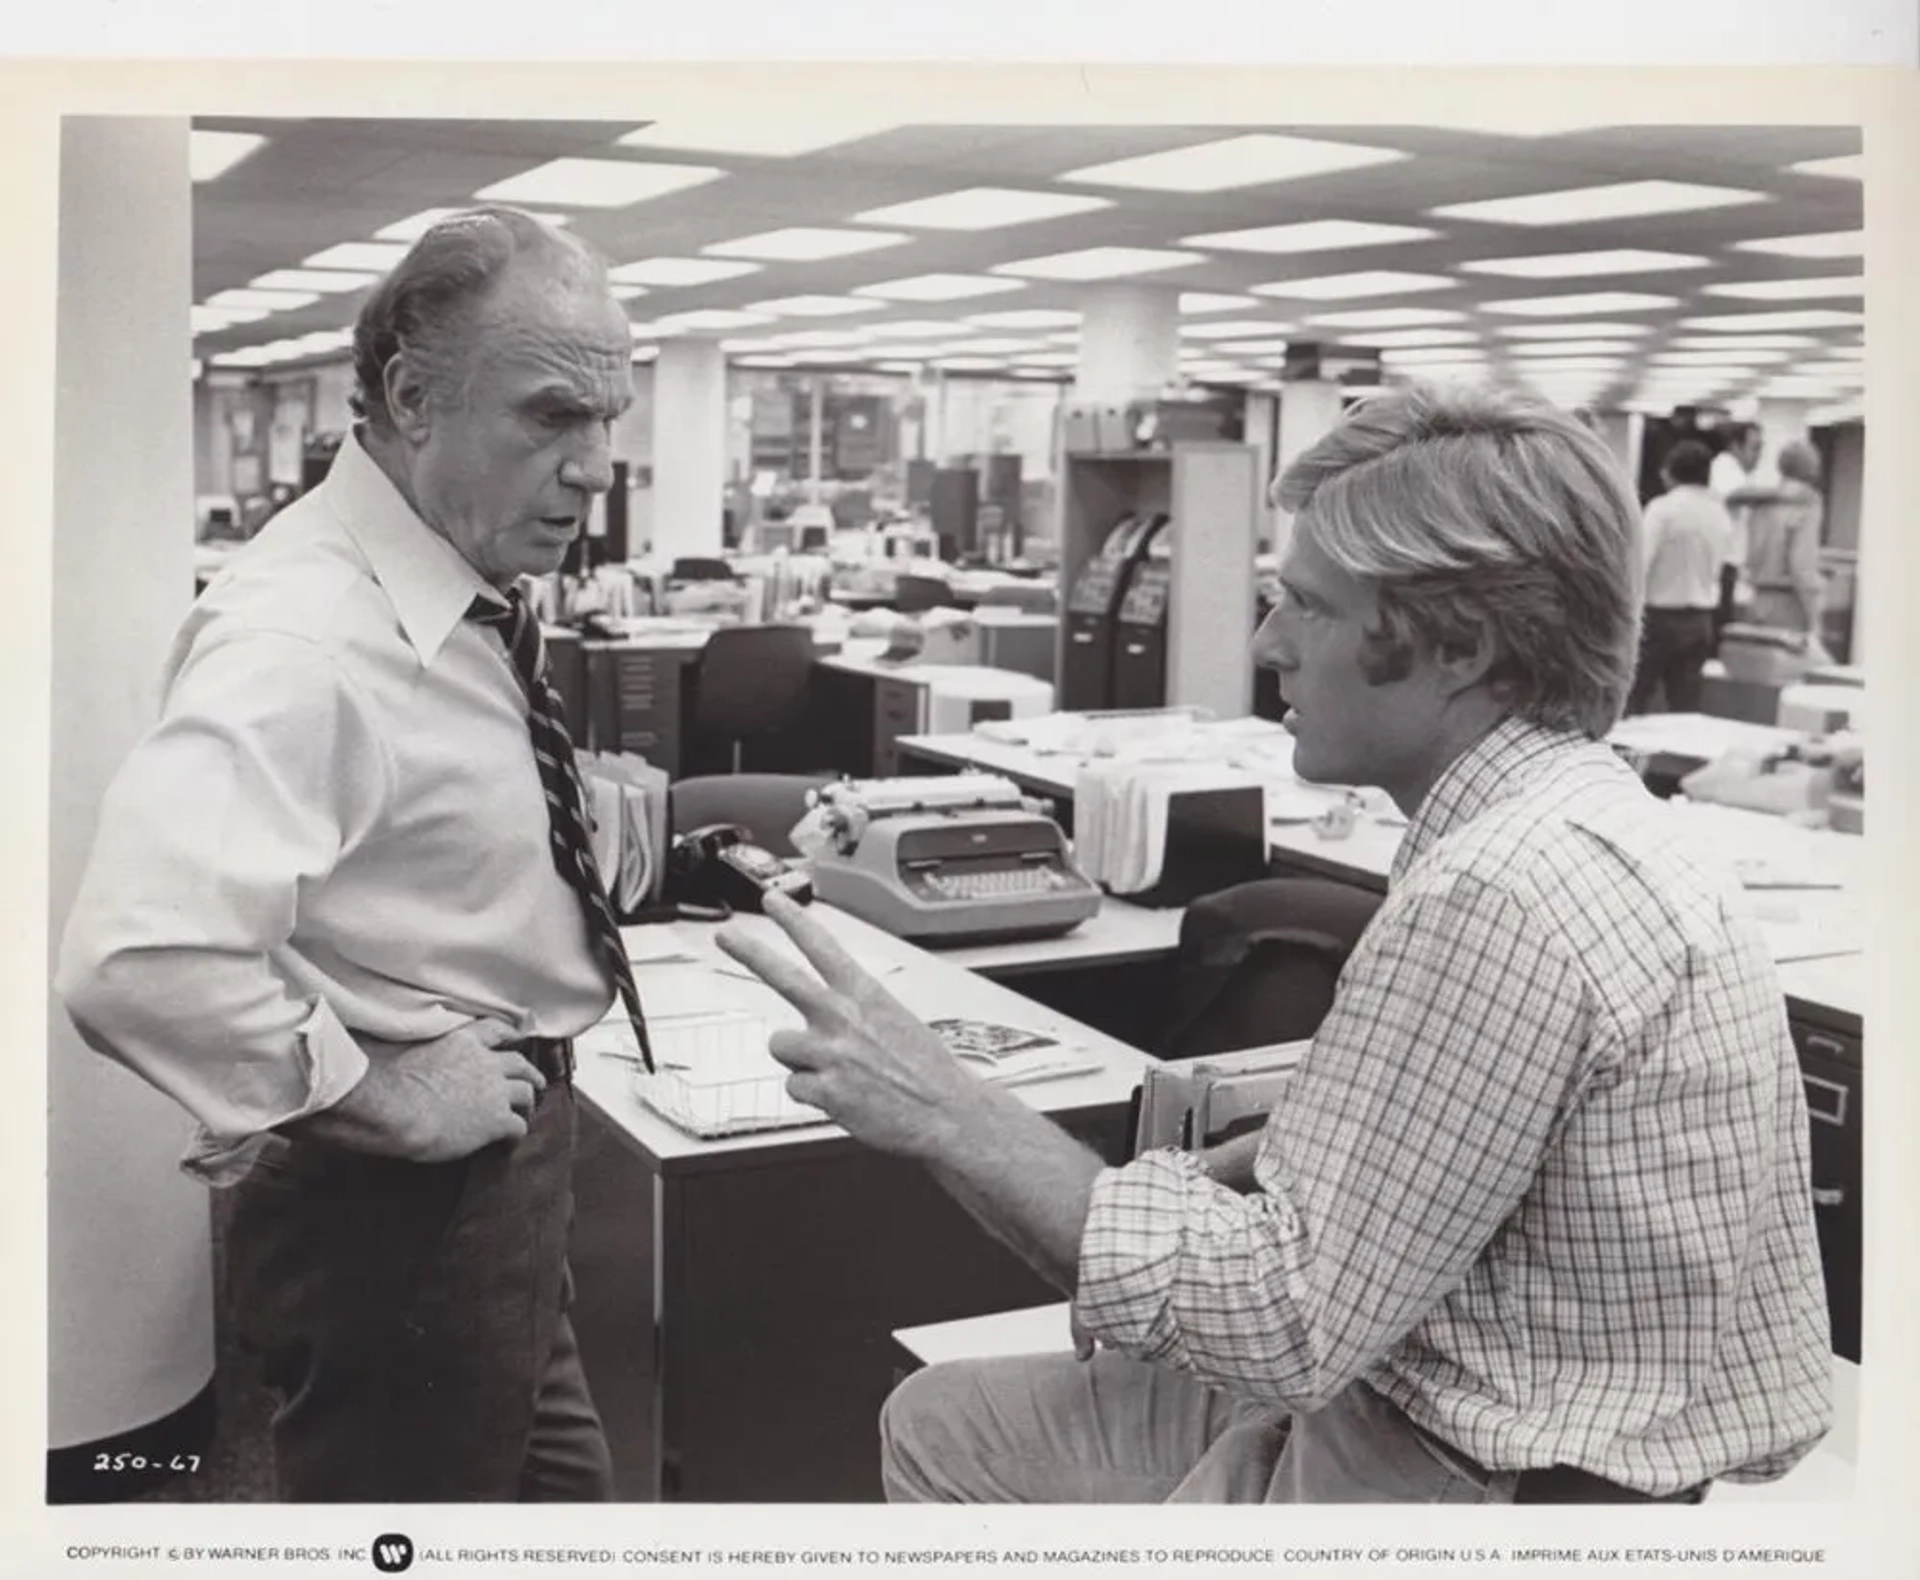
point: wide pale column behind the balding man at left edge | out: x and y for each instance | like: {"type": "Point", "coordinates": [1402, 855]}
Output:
{"type": "Point", "coordinates": [132, 1268]}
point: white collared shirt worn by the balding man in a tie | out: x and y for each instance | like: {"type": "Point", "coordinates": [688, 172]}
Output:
{"type": "Point", "coordinates": [335, 830]}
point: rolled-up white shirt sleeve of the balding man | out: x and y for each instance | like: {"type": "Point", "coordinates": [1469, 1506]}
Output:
{"type": "Point", "coordinates": [258, 777]}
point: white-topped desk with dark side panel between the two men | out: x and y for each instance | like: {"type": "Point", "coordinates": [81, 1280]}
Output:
{"type": "Point", "coordinates": [782, 1262]}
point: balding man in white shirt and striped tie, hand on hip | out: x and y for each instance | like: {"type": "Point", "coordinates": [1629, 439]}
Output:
{"type": "Point", "coordinates": [341, 903]}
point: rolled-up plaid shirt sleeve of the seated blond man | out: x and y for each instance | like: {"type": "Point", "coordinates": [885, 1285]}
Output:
{"type": "Point", "coordinates": [1406, 1139]}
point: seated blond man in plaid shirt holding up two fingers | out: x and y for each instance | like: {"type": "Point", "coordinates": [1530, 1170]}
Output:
{"type": "Point", "coordinates": [1533, 1220]}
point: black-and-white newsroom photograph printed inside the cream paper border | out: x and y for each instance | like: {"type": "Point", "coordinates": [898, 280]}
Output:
{"type": "Point", "coordinates": [802, 805]}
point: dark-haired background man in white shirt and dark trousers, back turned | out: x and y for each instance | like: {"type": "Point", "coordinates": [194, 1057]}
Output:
{"type": "Point", "coordinates": [1687, 533]}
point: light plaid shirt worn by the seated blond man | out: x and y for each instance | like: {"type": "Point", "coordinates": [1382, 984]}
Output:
{"type": "Point", "coordinates": [1543, 1178]}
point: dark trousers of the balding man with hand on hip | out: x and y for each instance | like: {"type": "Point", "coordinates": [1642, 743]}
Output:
{"type": "Point", "coordinates": [414, 1322]}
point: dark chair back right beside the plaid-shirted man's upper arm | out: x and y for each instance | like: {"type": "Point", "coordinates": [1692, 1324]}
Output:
{"type": "Point", "coordinates": [1259, 963]}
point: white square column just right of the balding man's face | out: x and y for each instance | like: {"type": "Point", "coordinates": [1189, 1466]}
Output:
{"type": "Point", "coordinates": [688, 448]}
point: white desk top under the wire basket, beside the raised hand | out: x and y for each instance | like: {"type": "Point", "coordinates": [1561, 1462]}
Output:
{"type": "Point", "coordinates": [926, 984]}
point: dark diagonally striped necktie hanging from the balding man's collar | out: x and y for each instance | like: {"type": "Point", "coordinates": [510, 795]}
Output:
{"type": "Point", "coordinates": [560, 780]}
